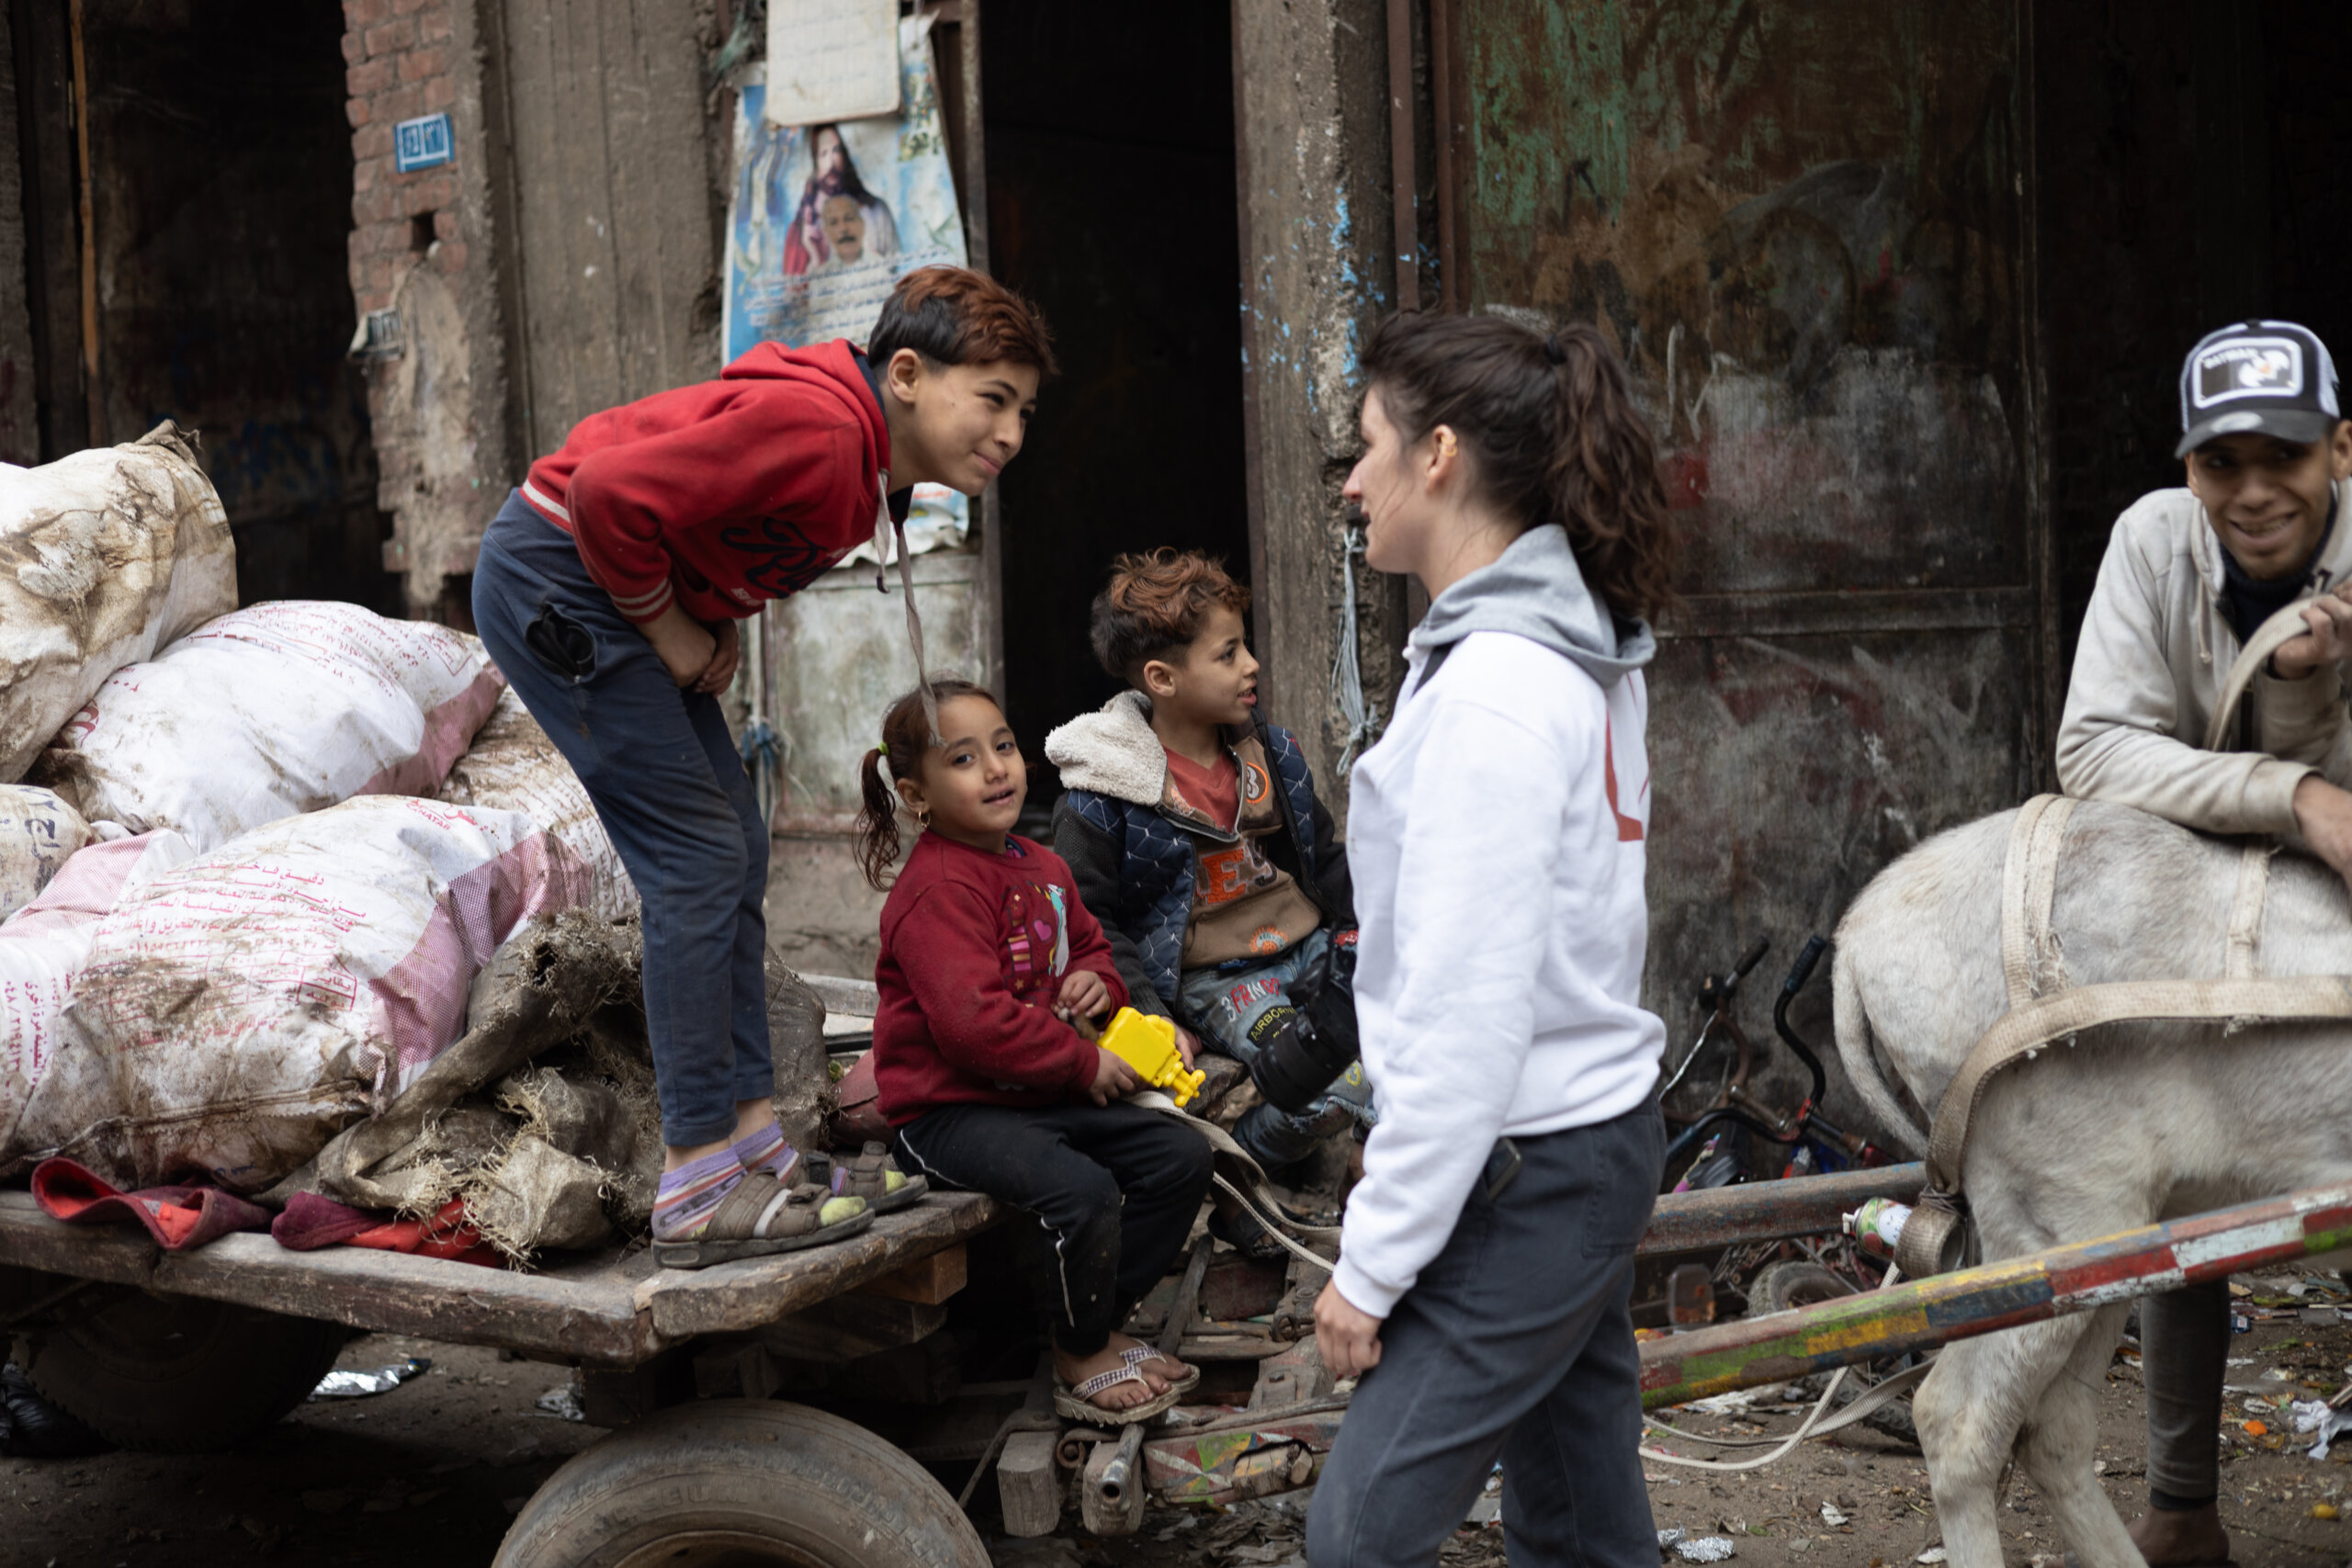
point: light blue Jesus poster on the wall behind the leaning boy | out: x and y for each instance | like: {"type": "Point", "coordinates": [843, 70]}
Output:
{"type": "Point", "coordinates": [827, 217]}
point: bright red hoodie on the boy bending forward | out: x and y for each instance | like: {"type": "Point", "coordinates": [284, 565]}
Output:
{"type": "Point", "coordinates": [728, 492]}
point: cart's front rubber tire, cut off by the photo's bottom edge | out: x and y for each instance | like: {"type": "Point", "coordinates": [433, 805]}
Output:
{"type": "Point", "coordinates": [740, 1482]}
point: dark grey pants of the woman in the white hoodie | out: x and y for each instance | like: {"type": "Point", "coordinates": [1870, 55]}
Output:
{"type": "Point", "coordinates": [1516, 1343]}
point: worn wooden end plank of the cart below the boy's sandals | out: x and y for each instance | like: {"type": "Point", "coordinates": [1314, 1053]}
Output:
{"type": "Point", "coordinates": [740, 1296]}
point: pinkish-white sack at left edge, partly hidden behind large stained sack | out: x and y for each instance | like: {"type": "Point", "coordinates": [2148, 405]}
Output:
{"type": "Point", "coordinates": [46, 944]}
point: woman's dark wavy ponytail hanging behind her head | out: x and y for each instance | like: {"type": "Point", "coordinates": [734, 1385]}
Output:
{"type": "Point", "coordinates": [1603, 478]}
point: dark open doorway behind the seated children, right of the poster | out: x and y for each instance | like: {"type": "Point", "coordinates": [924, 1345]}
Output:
{"type": "Point", "coordinates": [1111, 203]}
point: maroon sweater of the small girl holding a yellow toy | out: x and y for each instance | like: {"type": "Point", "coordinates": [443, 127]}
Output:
{"type": "Point", "coordinates": [975, 951]}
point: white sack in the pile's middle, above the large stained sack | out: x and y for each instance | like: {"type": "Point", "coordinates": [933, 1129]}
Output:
{"type": "Point", "coordinates": [274, 711]}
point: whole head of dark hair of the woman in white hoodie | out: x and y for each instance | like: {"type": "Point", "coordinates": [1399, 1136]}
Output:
{"type": "Point", "coordinates": [1551, 431]}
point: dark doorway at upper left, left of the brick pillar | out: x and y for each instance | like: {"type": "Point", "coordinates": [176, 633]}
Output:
{"type": "Point", "coordinates": [206, 279]}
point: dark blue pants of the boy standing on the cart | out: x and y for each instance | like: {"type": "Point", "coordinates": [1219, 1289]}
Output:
{"type": "Point", "coordinates": [674, 796]}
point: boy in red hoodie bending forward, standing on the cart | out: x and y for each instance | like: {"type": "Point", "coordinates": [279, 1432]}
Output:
{"type": "Point", "coordinates": [610, 589]}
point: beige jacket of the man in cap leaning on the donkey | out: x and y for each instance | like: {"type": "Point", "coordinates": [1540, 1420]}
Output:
{"type": "Point", "coordinates": [2149, 674]}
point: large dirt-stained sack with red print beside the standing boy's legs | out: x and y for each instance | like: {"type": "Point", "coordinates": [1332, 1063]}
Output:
{"type": "Point", "coordinates": [241, 1010]}
